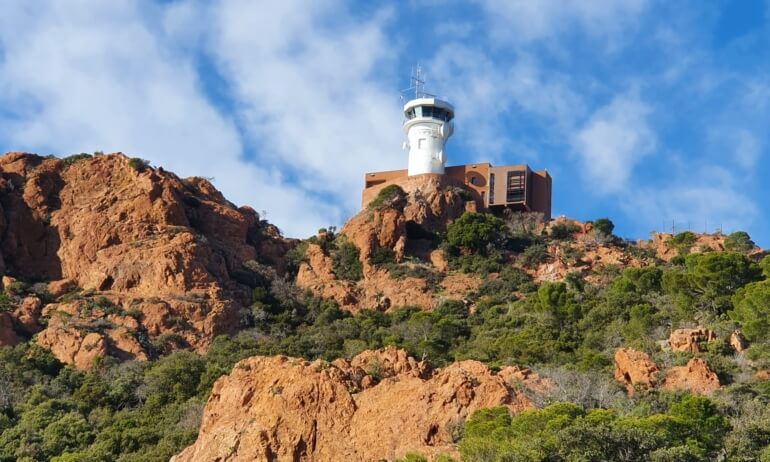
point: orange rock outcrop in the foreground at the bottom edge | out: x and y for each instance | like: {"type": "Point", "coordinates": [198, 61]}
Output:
{"type": "Point", "coordinates": [279, 408]}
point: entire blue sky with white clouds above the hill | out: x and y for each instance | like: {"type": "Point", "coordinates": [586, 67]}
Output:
{"type": "Point", "coordinates": [653, 113]}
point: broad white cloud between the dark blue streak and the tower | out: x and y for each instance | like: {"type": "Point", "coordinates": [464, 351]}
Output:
{"type": "Point", "coordinates": [309, 83]}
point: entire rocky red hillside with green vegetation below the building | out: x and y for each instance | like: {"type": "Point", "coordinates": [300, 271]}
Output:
{"type": "Point", "coordinates": [145, 317]}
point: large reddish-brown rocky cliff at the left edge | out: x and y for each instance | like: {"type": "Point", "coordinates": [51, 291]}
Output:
{"type": "Point", "coordinates": [170, 249]}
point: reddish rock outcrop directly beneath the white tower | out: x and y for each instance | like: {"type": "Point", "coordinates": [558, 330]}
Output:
{"type": "Point", "coordinates": [430, 205]}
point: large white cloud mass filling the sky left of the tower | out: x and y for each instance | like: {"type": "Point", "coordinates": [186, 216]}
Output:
{"type": "Point", "coordinates": [89, 75]}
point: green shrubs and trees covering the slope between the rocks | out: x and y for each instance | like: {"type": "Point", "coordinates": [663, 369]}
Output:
{"type": "Point", "coordinates": [568, 330]}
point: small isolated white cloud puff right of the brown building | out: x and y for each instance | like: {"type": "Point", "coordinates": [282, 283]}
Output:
{"type": "Point", "coordinates": [614, 139]}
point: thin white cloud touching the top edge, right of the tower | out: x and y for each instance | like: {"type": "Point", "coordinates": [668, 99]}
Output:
{"type": "Point", "coordinates": [525, 21]}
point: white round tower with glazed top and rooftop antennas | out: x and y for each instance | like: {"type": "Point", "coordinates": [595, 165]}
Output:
{"type": "Point", "coordinates": [428, 125]}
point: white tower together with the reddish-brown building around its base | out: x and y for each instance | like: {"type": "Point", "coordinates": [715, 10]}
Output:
{"type": "Point", "coordinates": [428, 124]}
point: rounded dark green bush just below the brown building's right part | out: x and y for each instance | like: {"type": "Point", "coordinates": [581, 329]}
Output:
{"type": "Point", "coordinates": [476, 231]}
